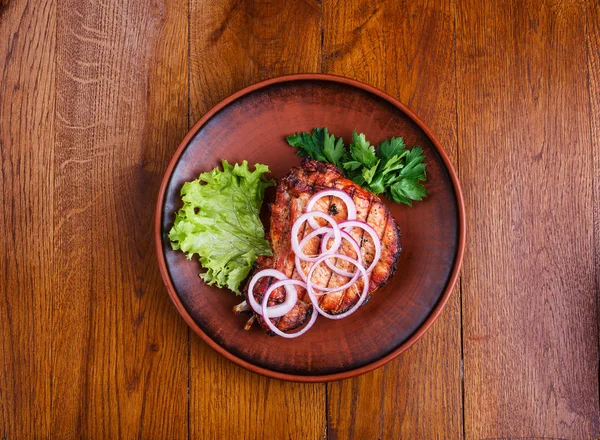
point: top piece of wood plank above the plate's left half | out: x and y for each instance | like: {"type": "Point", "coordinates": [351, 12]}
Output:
{"type": "Point", "coordinates": [235, 44]}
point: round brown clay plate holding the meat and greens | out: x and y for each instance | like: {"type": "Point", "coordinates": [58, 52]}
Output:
{"type": "Point", "coordinates": [252, 125]}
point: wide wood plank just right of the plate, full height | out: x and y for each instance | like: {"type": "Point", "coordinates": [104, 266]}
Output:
{"type": "Point", "coordinates": [530, 315]}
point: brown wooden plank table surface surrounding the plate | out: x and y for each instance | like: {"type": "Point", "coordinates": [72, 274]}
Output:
{"type": "Point", "coordinates": [96, 95]}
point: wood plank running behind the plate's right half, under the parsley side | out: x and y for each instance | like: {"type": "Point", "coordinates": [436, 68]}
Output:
{"type": "Point", "coordinates": [406, 49]}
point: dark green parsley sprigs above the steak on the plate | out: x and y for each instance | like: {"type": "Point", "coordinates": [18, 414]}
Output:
{"type": "Point", "coordinates": [391, 168]}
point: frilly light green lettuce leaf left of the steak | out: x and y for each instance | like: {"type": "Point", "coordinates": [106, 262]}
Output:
{"type": "Point", "coordinates": [219, 222]}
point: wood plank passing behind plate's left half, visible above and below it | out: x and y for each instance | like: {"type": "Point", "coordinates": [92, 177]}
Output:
{"type": "Point", "coordinates": [235, 44]}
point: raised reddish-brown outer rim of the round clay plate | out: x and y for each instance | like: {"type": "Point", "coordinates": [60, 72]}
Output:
{"type": "Point", "coordinates": [415, 336]}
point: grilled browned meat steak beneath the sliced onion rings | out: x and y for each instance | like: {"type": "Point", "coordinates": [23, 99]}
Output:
{"type": "Point", "coordinates": [293, 193]}
